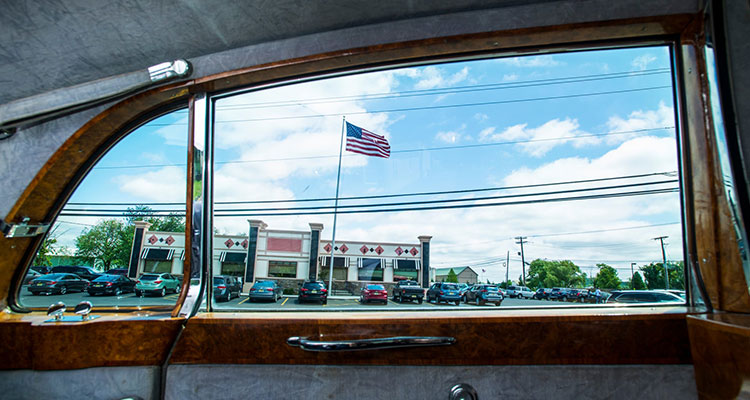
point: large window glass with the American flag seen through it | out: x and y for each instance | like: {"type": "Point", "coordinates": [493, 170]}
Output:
{"type": "Point", "coordinates": [546, 171]}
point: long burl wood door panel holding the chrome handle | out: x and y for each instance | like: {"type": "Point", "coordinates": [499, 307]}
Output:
{"type": "Point", "coordinates": [515, 340]}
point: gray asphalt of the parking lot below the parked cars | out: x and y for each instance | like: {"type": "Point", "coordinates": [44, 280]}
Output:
{"type": "Point", "coordinates": [286, 303]}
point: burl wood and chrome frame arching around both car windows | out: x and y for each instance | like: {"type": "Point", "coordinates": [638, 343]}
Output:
{"type": "Point", "coordinates": [385, 60]}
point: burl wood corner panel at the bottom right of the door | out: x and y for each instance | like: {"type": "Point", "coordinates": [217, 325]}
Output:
{"type": "Point", "coordinates": [721, 355]}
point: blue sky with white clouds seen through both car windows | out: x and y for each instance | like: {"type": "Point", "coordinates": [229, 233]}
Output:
{"type": "Point", "coordinates": [558, 128]}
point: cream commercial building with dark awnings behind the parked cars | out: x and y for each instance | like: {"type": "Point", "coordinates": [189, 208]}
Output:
{"type": "Point", "coordinates": [288, 257]}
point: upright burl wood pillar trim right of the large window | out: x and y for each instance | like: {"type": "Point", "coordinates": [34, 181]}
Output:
{"type": "Point", "coordinates": [715, 244]}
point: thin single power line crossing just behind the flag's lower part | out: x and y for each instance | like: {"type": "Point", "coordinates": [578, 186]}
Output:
{"type": "Point", "coordinates": [441, 148]}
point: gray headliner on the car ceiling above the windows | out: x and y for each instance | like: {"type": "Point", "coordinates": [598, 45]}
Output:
{"type": "Point", "coordinates": [51, 44]}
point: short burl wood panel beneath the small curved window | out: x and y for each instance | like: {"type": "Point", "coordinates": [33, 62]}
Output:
{"type": "Point", "coordinates": [123, 340]}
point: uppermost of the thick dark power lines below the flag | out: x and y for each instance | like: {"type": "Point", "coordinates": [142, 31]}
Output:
{"type": "Point", "coordinates": [462, 191]}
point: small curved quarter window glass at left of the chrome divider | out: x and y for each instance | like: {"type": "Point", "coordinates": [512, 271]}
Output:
{"type": "Point", "coordinates": [126, 216]}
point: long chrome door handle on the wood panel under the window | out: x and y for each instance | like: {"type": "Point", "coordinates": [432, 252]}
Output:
{"type": "Point", "coordinates": [369, 344]}
